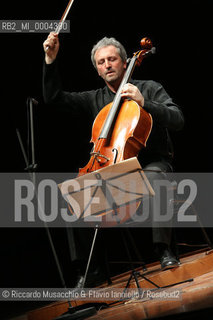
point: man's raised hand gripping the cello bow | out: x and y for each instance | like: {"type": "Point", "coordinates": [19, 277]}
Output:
{"type": "Point", "coordinates": [51, 47]}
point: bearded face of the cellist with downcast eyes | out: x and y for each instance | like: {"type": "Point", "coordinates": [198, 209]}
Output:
{"type": "Point", "coordinates": [109, 64]}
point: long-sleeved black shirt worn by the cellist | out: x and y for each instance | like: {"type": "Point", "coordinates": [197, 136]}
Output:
{"type": "Point", "coordinates": [165, 113]}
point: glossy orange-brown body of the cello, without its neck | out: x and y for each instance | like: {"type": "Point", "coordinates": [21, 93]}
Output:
{"type": "Point", "coordinates": [131, 129]}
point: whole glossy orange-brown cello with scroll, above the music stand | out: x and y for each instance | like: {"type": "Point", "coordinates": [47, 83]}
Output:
{"type": "Point", "coordinates": [121, 128]}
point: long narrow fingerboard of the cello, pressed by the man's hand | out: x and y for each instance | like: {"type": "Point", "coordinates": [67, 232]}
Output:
{"type": "Point", "coordinates": [116, 102]}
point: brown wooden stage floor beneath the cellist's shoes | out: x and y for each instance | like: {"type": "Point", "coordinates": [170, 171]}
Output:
{"type": "Point", "coordinates": [195, 292]}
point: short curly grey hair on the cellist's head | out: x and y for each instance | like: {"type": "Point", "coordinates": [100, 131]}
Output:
{"type": "Point", "coordinates": [108, 42]}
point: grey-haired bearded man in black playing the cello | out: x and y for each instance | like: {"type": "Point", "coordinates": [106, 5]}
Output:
{"type": "Point", "coordinates": [109, 58]}
